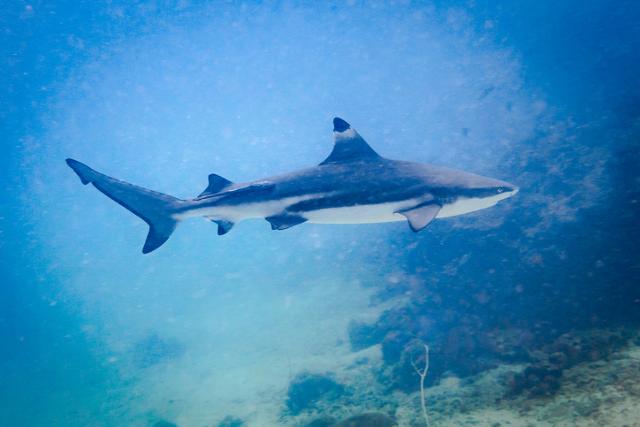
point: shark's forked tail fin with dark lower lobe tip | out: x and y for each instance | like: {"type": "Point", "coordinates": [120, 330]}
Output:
{"type": "Point", "coordinates": [156, 209]}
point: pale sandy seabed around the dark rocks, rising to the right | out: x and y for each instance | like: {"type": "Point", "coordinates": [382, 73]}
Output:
{"type": "Point", "coordinates": [602, 393]}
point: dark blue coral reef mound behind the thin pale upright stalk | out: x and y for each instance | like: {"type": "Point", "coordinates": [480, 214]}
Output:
{"type": "Point", "coordinates": [466, 344]}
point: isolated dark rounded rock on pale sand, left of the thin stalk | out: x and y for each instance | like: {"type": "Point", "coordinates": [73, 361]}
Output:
{"type": "Point", "coordinates": [306, 390]}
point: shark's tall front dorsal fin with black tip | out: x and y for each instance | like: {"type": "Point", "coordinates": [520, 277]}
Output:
{"type": "Point", "coordinates": [348, 145]}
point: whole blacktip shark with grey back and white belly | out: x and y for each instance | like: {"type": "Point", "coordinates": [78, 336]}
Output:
{"type": "Point", "coordinates": [353, 185]}
